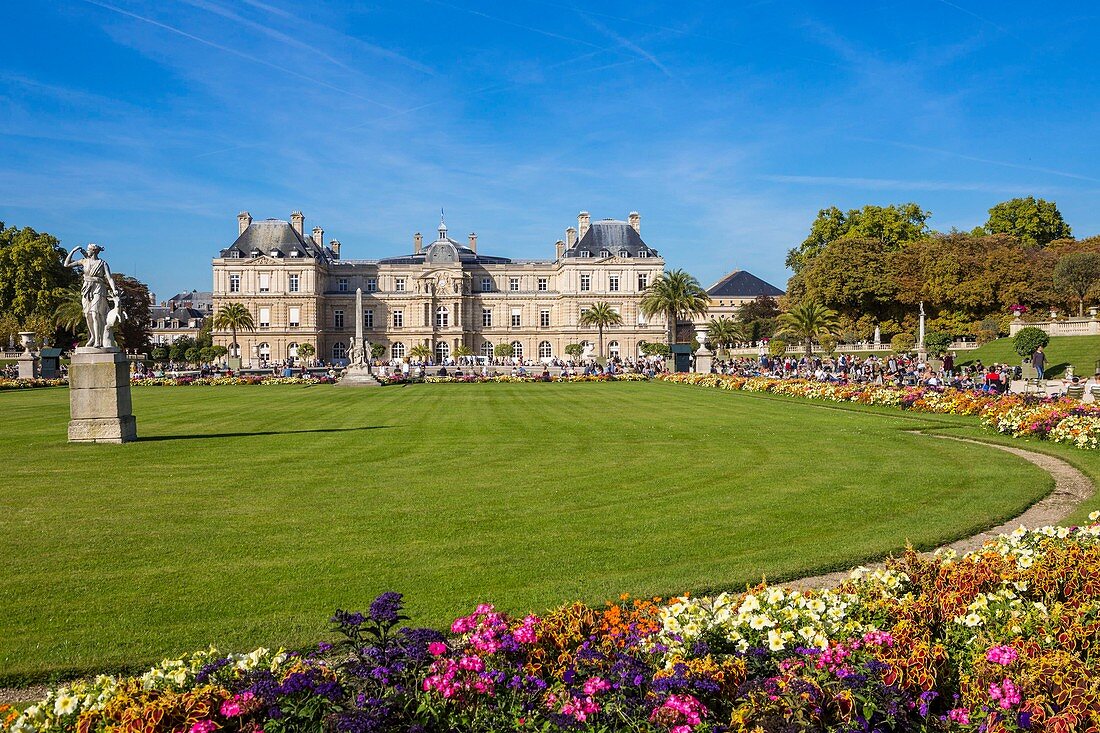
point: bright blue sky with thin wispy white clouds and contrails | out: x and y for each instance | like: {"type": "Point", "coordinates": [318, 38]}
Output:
{"type": "Point", "coordinates": [147, 126]}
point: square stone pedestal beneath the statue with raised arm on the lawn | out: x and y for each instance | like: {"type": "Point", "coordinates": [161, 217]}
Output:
{"type": "Point", "coordinates": [100, 398]}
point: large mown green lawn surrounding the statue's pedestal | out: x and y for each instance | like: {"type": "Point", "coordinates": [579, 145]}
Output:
{"type": "Point", "coordinates": [246, 516]}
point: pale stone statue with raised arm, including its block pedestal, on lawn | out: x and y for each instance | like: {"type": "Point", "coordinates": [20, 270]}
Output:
{"type": "Point", "coordinates": [100, 375]}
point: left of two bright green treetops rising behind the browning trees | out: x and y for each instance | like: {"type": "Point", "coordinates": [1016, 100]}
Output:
{"type": "Point", "coordinates": [893, 225]}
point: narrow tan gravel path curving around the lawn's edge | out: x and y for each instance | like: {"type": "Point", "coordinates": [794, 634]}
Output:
{"type": "Point", "coordinates": [1071, 489]}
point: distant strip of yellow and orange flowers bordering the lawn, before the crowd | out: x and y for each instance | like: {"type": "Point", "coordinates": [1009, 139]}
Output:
{"type": "Point", "coordinates": [1059, 420]}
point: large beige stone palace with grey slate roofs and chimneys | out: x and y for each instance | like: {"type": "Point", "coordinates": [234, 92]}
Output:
{"type": "Point", "coordinates": [444, 294]}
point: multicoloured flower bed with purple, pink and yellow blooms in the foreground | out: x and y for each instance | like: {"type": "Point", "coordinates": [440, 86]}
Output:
{"type": "Point", "coordinates": [1004, 639]}
